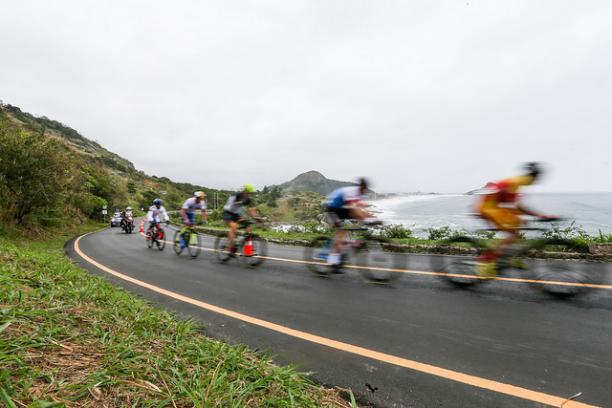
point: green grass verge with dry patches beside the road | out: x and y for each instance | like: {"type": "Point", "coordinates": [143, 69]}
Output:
{"type": "Point", "coordinates": [68, 338]}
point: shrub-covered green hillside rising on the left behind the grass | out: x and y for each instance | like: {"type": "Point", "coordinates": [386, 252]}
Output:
{"type": "Point", "coordinates": [51, 174]}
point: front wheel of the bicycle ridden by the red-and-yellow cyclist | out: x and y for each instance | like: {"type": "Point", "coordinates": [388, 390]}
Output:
{"type": "Point", "coordinates": [558, 277]}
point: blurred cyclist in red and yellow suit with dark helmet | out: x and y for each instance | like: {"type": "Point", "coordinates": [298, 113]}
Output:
{"type": "Point", "coordinates": [500, 205]}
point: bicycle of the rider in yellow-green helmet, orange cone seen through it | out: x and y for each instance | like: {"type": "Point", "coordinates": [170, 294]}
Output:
{"type": "Point", "coordinates": [250, 246]}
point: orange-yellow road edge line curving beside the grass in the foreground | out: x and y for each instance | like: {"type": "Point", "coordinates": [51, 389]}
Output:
{"type": "Point", "coordinates": [468, 379]}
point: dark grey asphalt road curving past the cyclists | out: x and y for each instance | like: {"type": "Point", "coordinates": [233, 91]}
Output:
{"type": "Point", "coordinates": [419, 343]}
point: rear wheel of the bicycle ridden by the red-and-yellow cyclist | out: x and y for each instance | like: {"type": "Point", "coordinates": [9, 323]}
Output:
{"type": "Point", "coordinates": [459, 270]}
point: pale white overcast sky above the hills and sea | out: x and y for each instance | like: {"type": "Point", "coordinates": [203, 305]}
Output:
{"type": "Point", "coordinates": [420, 95]}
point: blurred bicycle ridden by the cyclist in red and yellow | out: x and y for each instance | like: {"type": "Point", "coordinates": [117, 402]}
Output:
{"type": "Point", "coordinates": [555, 277]}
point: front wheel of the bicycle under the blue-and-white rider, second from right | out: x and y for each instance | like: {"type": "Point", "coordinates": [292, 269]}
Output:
{"type": "Point", "coordinates": [377, 263]}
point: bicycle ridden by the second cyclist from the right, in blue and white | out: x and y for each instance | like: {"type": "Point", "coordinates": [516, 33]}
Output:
{"type": "Point", "coordinates": [372, 255]}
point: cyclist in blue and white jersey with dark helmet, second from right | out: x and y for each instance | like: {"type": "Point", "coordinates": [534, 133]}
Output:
{"type": "Point", "coordinates": [343, 204]}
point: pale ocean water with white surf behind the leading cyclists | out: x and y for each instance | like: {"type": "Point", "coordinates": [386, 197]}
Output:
{"type": "Point", "coordinates": [590, 211]}
